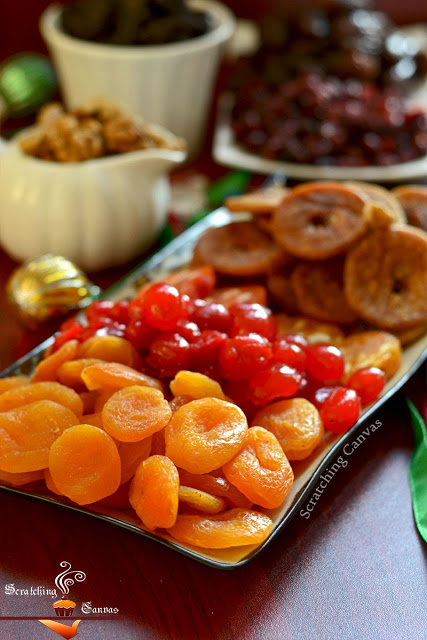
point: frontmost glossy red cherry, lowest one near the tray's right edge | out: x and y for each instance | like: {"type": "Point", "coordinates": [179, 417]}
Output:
{"type": "Point", "coordinates": [340, 410]}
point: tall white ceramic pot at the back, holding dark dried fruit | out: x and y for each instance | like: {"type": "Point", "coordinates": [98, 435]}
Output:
{"type": "Point", "coordinates": [168, 84]}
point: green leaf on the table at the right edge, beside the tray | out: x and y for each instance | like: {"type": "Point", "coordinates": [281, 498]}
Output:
{"type": "Point", "coordinates": [418, 471]}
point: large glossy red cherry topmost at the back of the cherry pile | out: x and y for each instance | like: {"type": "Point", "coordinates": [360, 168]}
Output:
{"type": "Point", "coordinates": [162, 306]}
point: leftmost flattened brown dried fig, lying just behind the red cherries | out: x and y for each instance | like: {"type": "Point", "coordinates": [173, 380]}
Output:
{"type": "Point", "coordinates": [237, 249]}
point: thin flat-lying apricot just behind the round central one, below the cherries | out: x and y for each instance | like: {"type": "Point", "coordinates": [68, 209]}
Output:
{"type": "Point", "coordinates": [113, 375]}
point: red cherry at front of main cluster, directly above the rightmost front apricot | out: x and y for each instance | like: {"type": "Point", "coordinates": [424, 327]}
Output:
{"type": "Point", "coordinates": [279, 381]}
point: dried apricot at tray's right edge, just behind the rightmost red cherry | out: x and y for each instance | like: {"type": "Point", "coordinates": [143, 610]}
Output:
{"type": "Point", "coordinates": [372, 349]}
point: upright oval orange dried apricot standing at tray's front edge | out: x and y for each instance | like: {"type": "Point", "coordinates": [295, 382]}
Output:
{"type": "Point", "coordinates": [154, 492]}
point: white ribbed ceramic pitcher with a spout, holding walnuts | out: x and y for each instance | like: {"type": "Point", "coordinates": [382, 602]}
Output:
{"type": "Point", "coordinates": [97, 213]}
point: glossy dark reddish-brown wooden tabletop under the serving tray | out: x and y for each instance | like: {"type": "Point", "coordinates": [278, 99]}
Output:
{"type": "Point", "coordinates": [355, 569]}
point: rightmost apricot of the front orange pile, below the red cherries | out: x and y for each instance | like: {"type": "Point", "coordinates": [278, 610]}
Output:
{"type": "Point", "coordinates": [296, 424]}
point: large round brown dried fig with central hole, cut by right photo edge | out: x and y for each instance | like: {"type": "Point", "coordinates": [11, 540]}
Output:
{"type": "Point", "coordinates": [385, 277]}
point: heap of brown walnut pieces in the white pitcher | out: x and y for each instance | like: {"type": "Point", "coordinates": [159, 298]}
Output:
{"type": "Point", "coordinates": [97, 129]}
